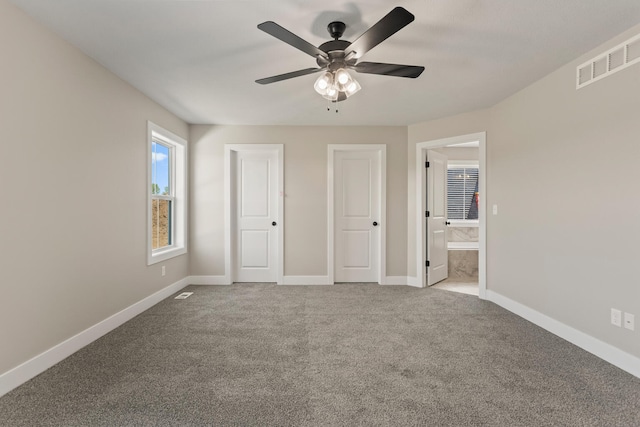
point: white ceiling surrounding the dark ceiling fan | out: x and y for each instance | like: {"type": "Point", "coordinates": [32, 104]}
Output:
{"type": "Point", "coordinates": [200, 59]}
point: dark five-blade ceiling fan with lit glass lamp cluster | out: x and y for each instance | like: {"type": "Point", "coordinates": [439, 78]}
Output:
{"type": "Point", "coordinates": [337, 56]}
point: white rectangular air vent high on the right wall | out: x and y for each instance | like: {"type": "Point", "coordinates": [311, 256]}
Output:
{"type": "Point", "coordinates": [611, 61]}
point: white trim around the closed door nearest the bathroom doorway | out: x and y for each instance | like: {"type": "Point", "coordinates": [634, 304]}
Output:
{"type": "Point", "coordinates": [382, 250]}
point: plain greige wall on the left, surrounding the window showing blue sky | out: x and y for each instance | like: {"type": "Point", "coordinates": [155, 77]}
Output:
{"type": "Point", "coordinates": [73, 173]}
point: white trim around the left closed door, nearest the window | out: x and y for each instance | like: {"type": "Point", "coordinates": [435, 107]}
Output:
{"type": "Point", "coordinates": [229, 221]}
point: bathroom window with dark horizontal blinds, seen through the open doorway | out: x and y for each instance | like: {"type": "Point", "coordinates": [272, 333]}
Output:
{"type": "Point", "coordinates": [462, 192]}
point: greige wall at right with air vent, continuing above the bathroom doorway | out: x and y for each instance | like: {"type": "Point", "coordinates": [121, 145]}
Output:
{"type": "Point", "coordinates": [561, 165]}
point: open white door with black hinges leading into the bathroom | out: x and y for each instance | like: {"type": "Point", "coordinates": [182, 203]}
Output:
{"type": "Point", "coordinates": [437, 252]}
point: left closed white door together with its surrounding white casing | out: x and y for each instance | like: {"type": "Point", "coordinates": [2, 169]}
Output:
{"type": "Point", "coordinates": [254, 242]}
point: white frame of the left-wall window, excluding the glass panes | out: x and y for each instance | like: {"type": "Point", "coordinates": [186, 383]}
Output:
{"type": "Point", "coordinates": [178, 183]}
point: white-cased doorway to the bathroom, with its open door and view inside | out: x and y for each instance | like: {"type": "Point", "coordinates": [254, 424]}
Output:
{"type": "Point", "coordinates": [463, 221]}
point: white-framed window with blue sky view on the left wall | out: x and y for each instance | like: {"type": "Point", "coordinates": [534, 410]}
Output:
{"type": "Point", "coordinates": [167, 191]}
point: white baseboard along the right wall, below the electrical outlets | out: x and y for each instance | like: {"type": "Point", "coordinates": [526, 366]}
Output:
{"type": "Point", "coordinates": [611, 354]}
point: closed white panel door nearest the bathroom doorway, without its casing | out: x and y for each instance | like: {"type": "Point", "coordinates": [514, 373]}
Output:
{"type": "Point", "coordinates": [357, 220]}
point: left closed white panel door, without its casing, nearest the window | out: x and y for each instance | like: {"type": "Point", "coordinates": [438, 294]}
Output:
{"type": "Point", "coordinates": [257, 216]}
